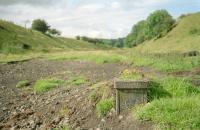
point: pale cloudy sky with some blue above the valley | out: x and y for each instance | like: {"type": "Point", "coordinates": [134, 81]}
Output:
{"type": "Point", "coordinates": [93, 18]}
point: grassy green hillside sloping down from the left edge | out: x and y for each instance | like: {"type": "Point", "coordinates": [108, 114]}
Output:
{"type": "Point", "coordinates": [16, 39]}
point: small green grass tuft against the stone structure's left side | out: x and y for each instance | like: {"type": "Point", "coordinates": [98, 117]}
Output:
{"type": "Point", "coordinates": [104, 106]}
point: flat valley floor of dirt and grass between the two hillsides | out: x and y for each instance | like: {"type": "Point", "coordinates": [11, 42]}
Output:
{"type": "Point", "coordinates": [91, 73]}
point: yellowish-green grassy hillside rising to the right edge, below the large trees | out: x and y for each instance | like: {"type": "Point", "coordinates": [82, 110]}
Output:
{"type": "Point", "coordinates": [184, 37]}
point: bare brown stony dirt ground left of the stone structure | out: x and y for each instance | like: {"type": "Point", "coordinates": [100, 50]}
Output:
{"type": "Point", "coordinates": [23, 109]}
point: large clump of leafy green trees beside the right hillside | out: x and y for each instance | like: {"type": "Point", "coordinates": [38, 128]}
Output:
{"type": "Point", "coordinates": [158, 24]}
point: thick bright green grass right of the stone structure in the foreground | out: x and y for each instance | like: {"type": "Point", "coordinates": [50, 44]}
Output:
{"type": "Point", "coordinates": [174, 104]}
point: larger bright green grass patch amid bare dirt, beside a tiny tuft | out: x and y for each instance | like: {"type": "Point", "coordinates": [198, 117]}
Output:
{"type": "Point", "coordinates": [44, 85]}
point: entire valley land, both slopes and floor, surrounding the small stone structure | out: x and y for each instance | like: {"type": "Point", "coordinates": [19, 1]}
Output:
{"type": "Point", "coordinates": [61, 83]}
